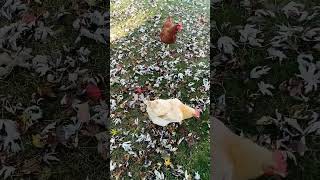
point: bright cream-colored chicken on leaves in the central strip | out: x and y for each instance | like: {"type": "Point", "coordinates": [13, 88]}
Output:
{"type": "Point", "coordinates": [165, 111]}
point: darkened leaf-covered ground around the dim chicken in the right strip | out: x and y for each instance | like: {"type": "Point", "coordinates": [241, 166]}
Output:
{"type": "Point", "coordinates": [265, 77]}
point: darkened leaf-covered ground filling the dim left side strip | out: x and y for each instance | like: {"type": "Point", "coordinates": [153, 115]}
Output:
{"type": "Point", "coordinates": [53, 66]}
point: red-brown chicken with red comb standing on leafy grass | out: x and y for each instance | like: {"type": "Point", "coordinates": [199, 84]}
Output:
{"type": "Point", "coordinates": [169, 31]}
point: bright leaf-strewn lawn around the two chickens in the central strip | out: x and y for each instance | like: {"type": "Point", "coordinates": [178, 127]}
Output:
{"type": "Point", "coordinates": [144, 68]}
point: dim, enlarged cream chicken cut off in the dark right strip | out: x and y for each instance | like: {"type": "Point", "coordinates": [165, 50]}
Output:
{"type": "Point", "coordinates": [238, 158]}
